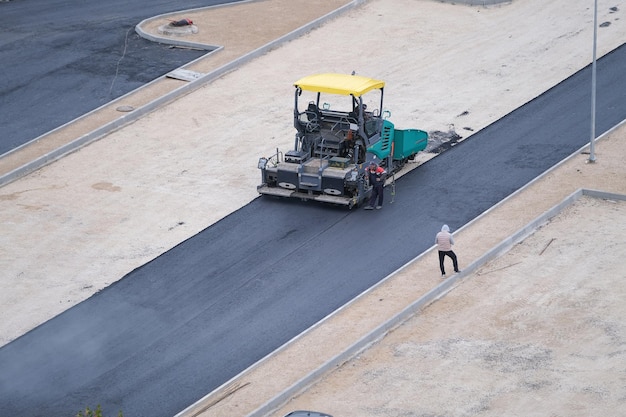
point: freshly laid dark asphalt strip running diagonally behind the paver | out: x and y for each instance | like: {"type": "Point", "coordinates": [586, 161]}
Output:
{"type": "Point", "coordinates": [180, 326]}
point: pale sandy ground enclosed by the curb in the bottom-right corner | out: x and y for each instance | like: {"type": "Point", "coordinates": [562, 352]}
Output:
{"type": "Point", "coordinates": [530, 334]}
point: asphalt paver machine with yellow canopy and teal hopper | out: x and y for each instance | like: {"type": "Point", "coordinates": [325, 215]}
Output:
{"type": "Point", "coordinates": [341, 126]}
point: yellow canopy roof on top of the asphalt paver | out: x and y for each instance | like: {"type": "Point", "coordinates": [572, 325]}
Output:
{"type": "Point", "coordinates": [344, 84]}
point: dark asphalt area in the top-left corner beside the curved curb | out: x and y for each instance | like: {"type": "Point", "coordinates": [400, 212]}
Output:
{"type": "Point", "coordinates": [63, 58]}
